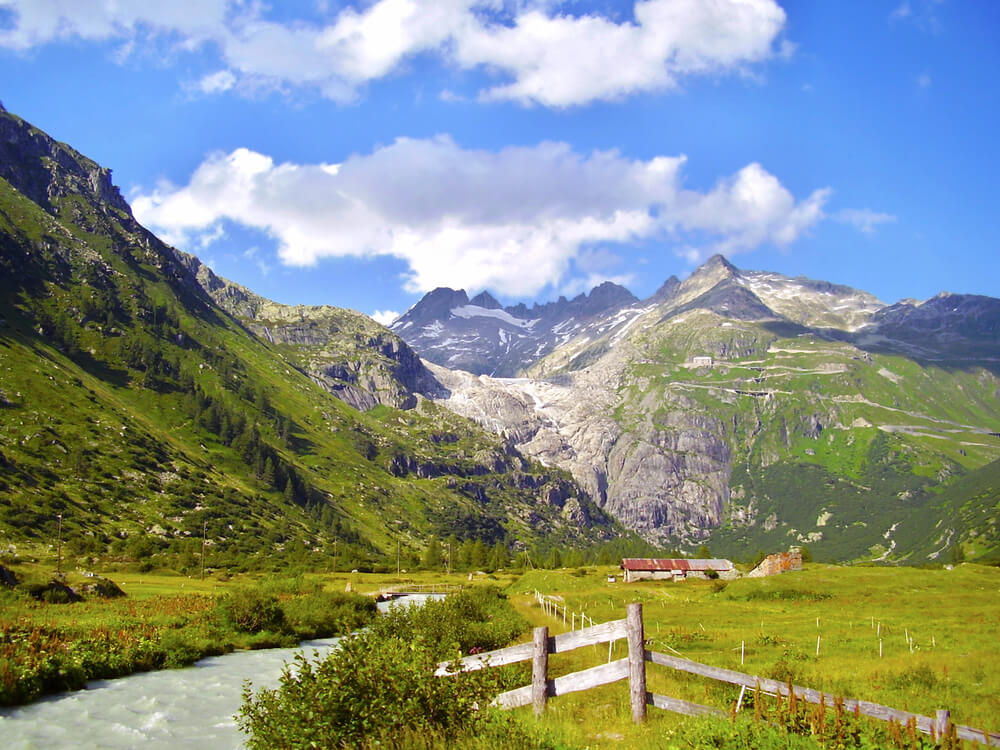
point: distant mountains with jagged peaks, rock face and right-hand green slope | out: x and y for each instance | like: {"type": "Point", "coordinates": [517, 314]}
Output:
{"type": "Point", "coordinates": [745, 408]}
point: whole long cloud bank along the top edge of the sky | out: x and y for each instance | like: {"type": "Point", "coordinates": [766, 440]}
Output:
{"type": "Point", "coordinates": [540, 53]}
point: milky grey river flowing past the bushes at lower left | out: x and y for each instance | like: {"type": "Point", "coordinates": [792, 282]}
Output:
{"type": "Point", "coordinates": [189, 708]}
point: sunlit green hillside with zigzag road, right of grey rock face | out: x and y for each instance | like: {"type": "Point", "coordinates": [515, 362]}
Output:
{"type": "Point", "coordinates": [858, 454]}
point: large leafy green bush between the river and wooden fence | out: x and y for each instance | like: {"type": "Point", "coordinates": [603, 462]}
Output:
{"type": "Point", "coordinates": [380, 686]}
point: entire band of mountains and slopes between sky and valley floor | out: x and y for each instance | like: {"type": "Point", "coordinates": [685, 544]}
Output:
{"type": "Point", "coordinates": [148, 402]}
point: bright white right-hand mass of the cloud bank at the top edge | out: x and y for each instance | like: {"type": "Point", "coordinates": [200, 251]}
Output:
{"type": "Point", "coordinates": [561, 60]}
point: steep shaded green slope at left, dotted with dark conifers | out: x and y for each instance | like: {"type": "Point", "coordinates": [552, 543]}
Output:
{"type": "Point", "coordinates": [143, 414]}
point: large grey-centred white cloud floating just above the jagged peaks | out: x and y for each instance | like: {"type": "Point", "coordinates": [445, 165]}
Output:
{"type": "Point", "coordinates": [514, 220]}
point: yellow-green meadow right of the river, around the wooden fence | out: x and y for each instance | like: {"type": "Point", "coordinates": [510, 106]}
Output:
{"type": "Point", "coordinates": [951, 618]}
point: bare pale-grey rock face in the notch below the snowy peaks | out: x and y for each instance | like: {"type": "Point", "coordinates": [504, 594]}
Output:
{"type": "Point", "coordinates": [667, 477]}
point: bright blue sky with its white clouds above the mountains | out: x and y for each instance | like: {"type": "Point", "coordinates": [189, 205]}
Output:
{"type": "Point", "coordinates": [361, 154]}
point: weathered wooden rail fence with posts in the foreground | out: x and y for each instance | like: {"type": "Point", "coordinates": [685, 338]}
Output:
{"type": "Point", "coordinates": [633, 667]}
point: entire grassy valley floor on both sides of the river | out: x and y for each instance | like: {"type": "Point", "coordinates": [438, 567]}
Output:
{"type": "Point", "coordinates": [938, 630]}
